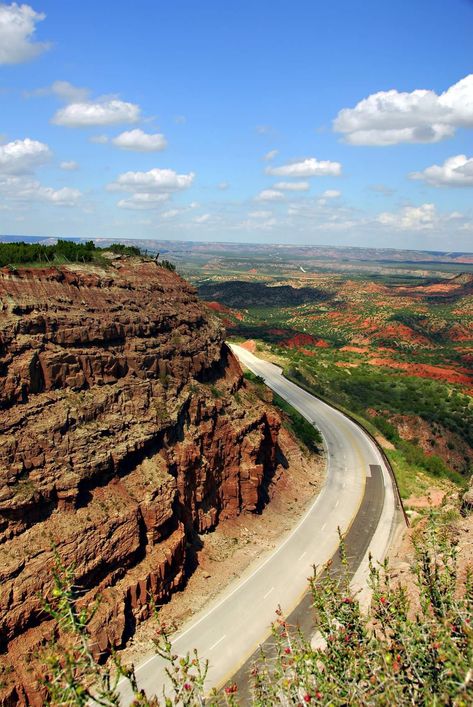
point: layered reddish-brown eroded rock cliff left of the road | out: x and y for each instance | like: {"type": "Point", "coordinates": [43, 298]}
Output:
{"type": "Point", "coordinates": [125, 427]}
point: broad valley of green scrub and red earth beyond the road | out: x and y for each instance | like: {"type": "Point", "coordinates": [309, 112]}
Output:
{"type": "Point", "coordinates": [392, 348]}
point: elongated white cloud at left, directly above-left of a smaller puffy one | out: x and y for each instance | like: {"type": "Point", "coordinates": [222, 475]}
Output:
{"type": "Point", "coordinates": [101, 112]}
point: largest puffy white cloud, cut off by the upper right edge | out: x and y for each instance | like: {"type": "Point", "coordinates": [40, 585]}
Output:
{"type": "Point", "coordinates": [392, 117]}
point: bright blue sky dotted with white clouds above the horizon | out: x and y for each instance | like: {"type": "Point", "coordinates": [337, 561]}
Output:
{"type": "Point", "coordinates": [341, 122]}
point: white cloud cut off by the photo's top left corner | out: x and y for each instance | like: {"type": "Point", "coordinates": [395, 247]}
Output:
{"type": "Point", "coordinates": [17, 27]}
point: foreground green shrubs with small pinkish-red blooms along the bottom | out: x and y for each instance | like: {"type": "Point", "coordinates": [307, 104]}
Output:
{"type": "Point", "coordinates": [408, 648]}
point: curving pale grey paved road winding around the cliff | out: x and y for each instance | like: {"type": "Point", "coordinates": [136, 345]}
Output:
{"type": "Point", "coordinates": [229, 630]}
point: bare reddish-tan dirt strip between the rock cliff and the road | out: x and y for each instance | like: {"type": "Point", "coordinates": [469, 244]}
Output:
{"type": "Point", "coordinates": [236, 544]}
